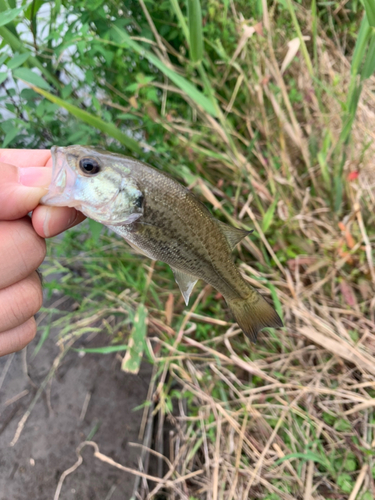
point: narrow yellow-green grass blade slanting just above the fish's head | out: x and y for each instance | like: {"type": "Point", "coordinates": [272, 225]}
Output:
{"type": "Point", "coordinates": [92, 120]}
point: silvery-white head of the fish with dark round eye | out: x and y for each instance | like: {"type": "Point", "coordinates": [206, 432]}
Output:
{"type": "Point", "coordinates": [95, 182]}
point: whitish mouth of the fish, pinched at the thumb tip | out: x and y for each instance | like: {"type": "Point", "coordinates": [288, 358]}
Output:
{"type": "Point", "coordinates": [63, 179]}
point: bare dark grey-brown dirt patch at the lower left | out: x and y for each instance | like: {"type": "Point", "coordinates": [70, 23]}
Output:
{"type": "Point", "coordinates": [88, 395]}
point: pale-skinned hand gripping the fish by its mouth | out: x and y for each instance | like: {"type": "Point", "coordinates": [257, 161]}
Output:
{"type": "Point", "coordinates": [24, 178]}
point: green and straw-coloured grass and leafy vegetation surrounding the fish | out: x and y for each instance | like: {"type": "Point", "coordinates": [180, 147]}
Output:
{"type": "Point", "coordinates": [266, 110]}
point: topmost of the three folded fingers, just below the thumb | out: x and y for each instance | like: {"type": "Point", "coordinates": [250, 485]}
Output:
{"type": "Point", "coordinates": [22, 251]}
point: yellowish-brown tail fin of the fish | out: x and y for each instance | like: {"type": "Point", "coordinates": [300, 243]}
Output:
{"type": "Point", "coordinates": [253, 314]}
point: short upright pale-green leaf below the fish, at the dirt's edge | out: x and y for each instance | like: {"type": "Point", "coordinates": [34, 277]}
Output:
{"type": "Point", "coordinates": [133, 357]}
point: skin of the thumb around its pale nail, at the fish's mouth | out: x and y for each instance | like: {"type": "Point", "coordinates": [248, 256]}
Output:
{"type": "Point", "coordinates": [17, 200]}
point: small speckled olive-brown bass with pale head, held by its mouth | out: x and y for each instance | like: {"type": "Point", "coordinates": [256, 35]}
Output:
{"type": "Point", "coordinates": [161, 219]}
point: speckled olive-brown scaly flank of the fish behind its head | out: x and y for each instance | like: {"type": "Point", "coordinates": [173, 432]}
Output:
{"type": "Point", "coordinates": [200, 248]}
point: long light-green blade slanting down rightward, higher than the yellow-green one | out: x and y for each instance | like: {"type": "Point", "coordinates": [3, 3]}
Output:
{"type": "Point", "coordinates": [181, 82]}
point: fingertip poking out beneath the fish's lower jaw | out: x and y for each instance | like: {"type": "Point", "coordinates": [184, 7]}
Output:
{"type": "Point", "coordinates": [50, 221]}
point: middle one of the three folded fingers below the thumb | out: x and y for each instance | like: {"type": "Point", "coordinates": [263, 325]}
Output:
{"type": "Point", "coordinates": [19, 302]}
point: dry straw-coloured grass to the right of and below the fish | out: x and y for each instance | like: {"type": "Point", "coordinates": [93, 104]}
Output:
{"type": "Point", "coordinates": [291, 417]}
